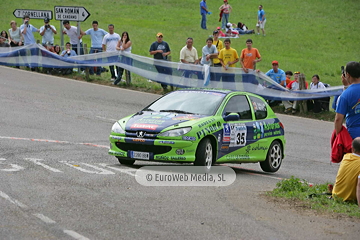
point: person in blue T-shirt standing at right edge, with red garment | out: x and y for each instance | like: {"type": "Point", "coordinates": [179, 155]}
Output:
{"type": "Point", "coordinates": [348, 104]}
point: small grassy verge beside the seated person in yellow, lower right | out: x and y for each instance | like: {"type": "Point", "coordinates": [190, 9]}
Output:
{"type": "Point", "coordinates": [294, 189]}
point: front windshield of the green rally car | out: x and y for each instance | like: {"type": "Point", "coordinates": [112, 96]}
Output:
{"type": "Point", "coordinates": [189, 102]}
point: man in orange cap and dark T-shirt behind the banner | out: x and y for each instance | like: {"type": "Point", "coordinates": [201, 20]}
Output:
{"type": "Point", "coordinates": [161, 50]}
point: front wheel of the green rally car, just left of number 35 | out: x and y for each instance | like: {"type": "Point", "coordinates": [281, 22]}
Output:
{"type": "Point", "coordinates": [204, 154]}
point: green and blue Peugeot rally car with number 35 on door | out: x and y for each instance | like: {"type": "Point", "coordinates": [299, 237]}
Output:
{"type": "Point", "coordinates": [203, 127]}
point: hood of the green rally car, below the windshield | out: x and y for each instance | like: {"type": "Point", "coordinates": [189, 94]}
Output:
{"type": "Point", "coordinates": [155, 122]}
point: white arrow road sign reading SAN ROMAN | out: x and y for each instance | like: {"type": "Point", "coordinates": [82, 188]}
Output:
{"type": "Point", "coordinates": [71, 13]}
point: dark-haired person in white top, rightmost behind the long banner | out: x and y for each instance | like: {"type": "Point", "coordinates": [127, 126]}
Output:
{"type": "Point", "coordinates": [319, 104]}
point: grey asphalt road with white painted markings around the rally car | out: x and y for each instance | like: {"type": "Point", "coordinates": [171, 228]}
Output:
{"type": "Point", "coordinates": [58, 182]}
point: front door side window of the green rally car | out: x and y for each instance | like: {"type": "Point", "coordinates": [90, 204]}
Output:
{"type": "Point", "coordinates": [238, 104]}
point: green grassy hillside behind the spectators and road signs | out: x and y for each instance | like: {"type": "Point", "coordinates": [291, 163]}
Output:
{"type": "Point", "coordinates": [307, 36]}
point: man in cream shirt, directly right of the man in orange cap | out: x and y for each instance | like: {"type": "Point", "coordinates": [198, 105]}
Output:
{"type": "Point", "coordinates": [188, 55]}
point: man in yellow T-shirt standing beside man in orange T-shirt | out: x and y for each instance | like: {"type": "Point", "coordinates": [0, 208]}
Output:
{"type": "Point", "coordinates": [228, 57]}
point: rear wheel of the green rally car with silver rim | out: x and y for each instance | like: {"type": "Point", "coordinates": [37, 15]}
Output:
{"type": "Point", "coordinates": [273, 159]}
